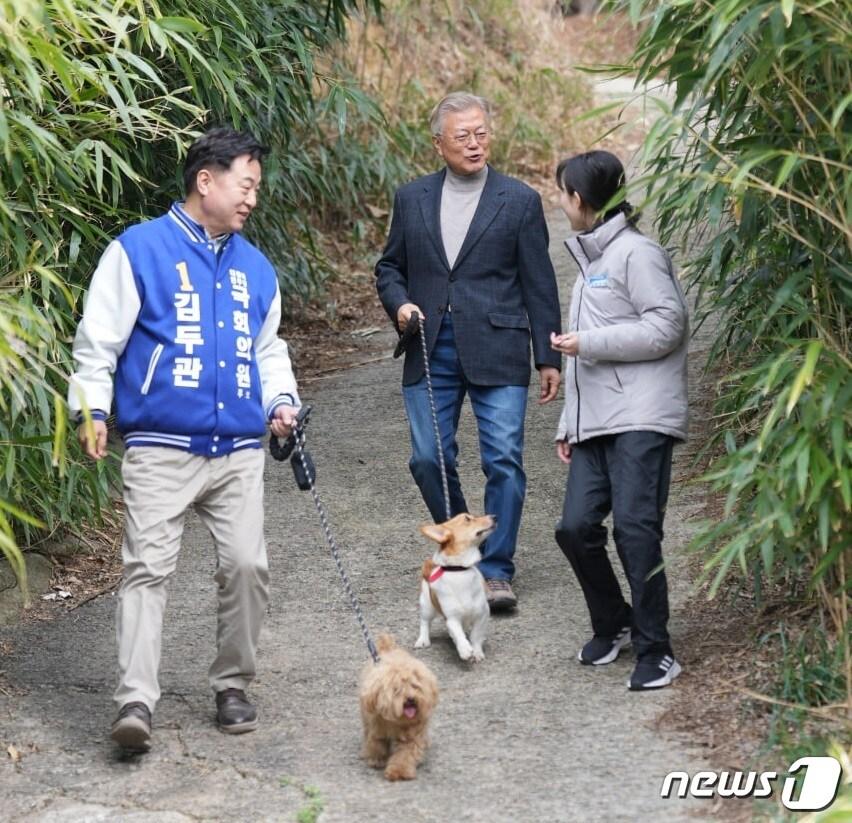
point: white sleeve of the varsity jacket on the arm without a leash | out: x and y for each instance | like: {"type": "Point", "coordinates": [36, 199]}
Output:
{"type": "Point", "coordinates": [109, 315]}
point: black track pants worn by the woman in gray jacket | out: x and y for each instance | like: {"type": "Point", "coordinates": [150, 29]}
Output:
{"type": "Point", "coordinates": [627, 474]}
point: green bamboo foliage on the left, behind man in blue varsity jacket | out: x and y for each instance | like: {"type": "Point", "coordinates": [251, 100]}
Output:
{"type": "Point", "coordinates": [98, 102]}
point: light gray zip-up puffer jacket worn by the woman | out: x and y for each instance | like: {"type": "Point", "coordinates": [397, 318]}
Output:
{"type": "Point", "coordinates": [631, 315]}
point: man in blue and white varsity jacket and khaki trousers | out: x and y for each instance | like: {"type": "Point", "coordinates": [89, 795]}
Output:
{"type": "Point", "coordinates": [180, 328]}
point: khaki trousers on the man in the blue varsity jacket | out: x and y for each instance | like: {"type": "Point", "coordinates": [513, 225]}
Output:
{"type": "Point", "coordinates": [160, 484]}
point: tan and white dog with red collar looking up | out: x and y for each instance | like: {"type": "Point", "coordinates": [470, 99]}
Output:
{"type": "Point", "coordinates": [453, 586]}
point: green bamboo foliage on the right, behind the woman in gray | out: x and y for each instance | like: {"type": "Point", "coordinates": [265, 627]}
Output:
{"type": "Point", "coordinates": [752, 158]}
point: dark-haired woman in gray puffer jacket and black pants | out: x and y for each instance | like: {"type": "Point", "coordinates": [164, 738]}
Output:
{"type": "Point", "coordinates": [625, 406]}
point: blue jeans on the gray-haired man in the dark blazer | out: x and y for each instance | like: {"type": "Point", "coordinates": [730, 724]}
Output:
{"type": "Point", "coordinates": [499, 412]}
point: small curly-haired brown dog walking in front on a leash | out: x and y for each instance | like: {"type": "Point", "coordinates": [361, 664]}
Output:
{"type": "Point", "coordinates": [397, 697]}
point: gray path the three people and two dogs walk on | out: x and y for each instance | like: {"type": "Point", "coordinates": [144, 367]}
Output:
{"type": "Point", "coordinates": [527, 736]}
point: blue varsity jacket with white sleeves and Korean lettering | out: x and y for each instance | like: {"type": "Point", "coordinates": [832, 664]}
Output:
{"type": "Point", "coordinates": [190, 334]}
